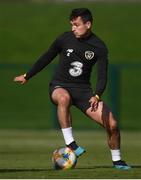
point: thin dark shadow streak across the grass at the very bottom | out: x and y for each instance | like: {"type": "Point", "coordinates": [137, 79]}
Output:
{"type": "Point", "coordinates": [51, 169]}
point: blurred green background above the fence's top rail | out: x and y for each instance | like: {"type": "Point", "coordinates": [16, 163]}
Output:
{"type": "Point", "coordinates": [27, 29]}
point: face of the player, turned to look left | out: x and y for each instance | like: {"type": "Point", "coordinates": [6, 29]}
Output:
{"type": "Point", "coordinates": [79, 28]}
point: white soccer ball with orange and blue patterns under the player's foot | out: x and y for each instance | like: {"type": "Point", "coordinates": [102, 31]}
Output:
{"type": "Point", "coordinates": [64, 158]}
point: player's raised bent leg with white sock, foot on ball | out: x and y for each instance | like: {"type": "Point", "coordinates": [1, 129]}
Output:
{"type": "Point", "coordinates": [62, 99]}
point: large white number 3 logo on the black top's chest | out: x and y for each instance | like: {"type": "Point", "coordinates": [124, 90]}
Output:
{"type": "Point", "coordinates": [76, 69]}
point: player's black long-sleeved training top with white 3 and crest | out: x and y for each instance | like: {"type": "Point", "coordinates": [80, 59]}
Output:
{"type": "Point", "coordinates": [77, 57]}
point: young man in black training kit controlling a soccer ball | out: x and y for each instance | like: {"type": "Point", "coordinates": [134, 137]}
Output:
{"type": "Point", "coordinates": [79, 50]}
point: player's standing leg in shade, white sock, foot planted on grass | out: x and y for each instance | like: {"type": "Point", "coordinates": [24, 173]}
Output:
{"type": "Point", "coordinates": [104, 117]}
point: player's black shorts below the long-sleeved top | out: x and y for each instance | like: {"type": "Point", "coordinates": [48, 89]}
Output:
{"type": "Point", "coordinates": [79, 96]}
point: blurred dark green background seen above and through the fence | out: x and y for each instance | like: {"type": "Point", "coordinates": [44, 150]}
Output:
{"type": "Point", "coordinates": [27, 30]}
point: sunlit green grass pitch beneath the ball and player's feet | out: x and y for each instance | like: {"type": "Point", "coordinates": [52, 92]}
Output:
{"type": "Point", "coordinates": [27, 154]}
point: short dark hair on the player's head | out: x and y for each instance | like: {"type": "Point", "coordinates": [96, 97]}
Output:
{"type": "Point", "coordinates": [84, 13]}
